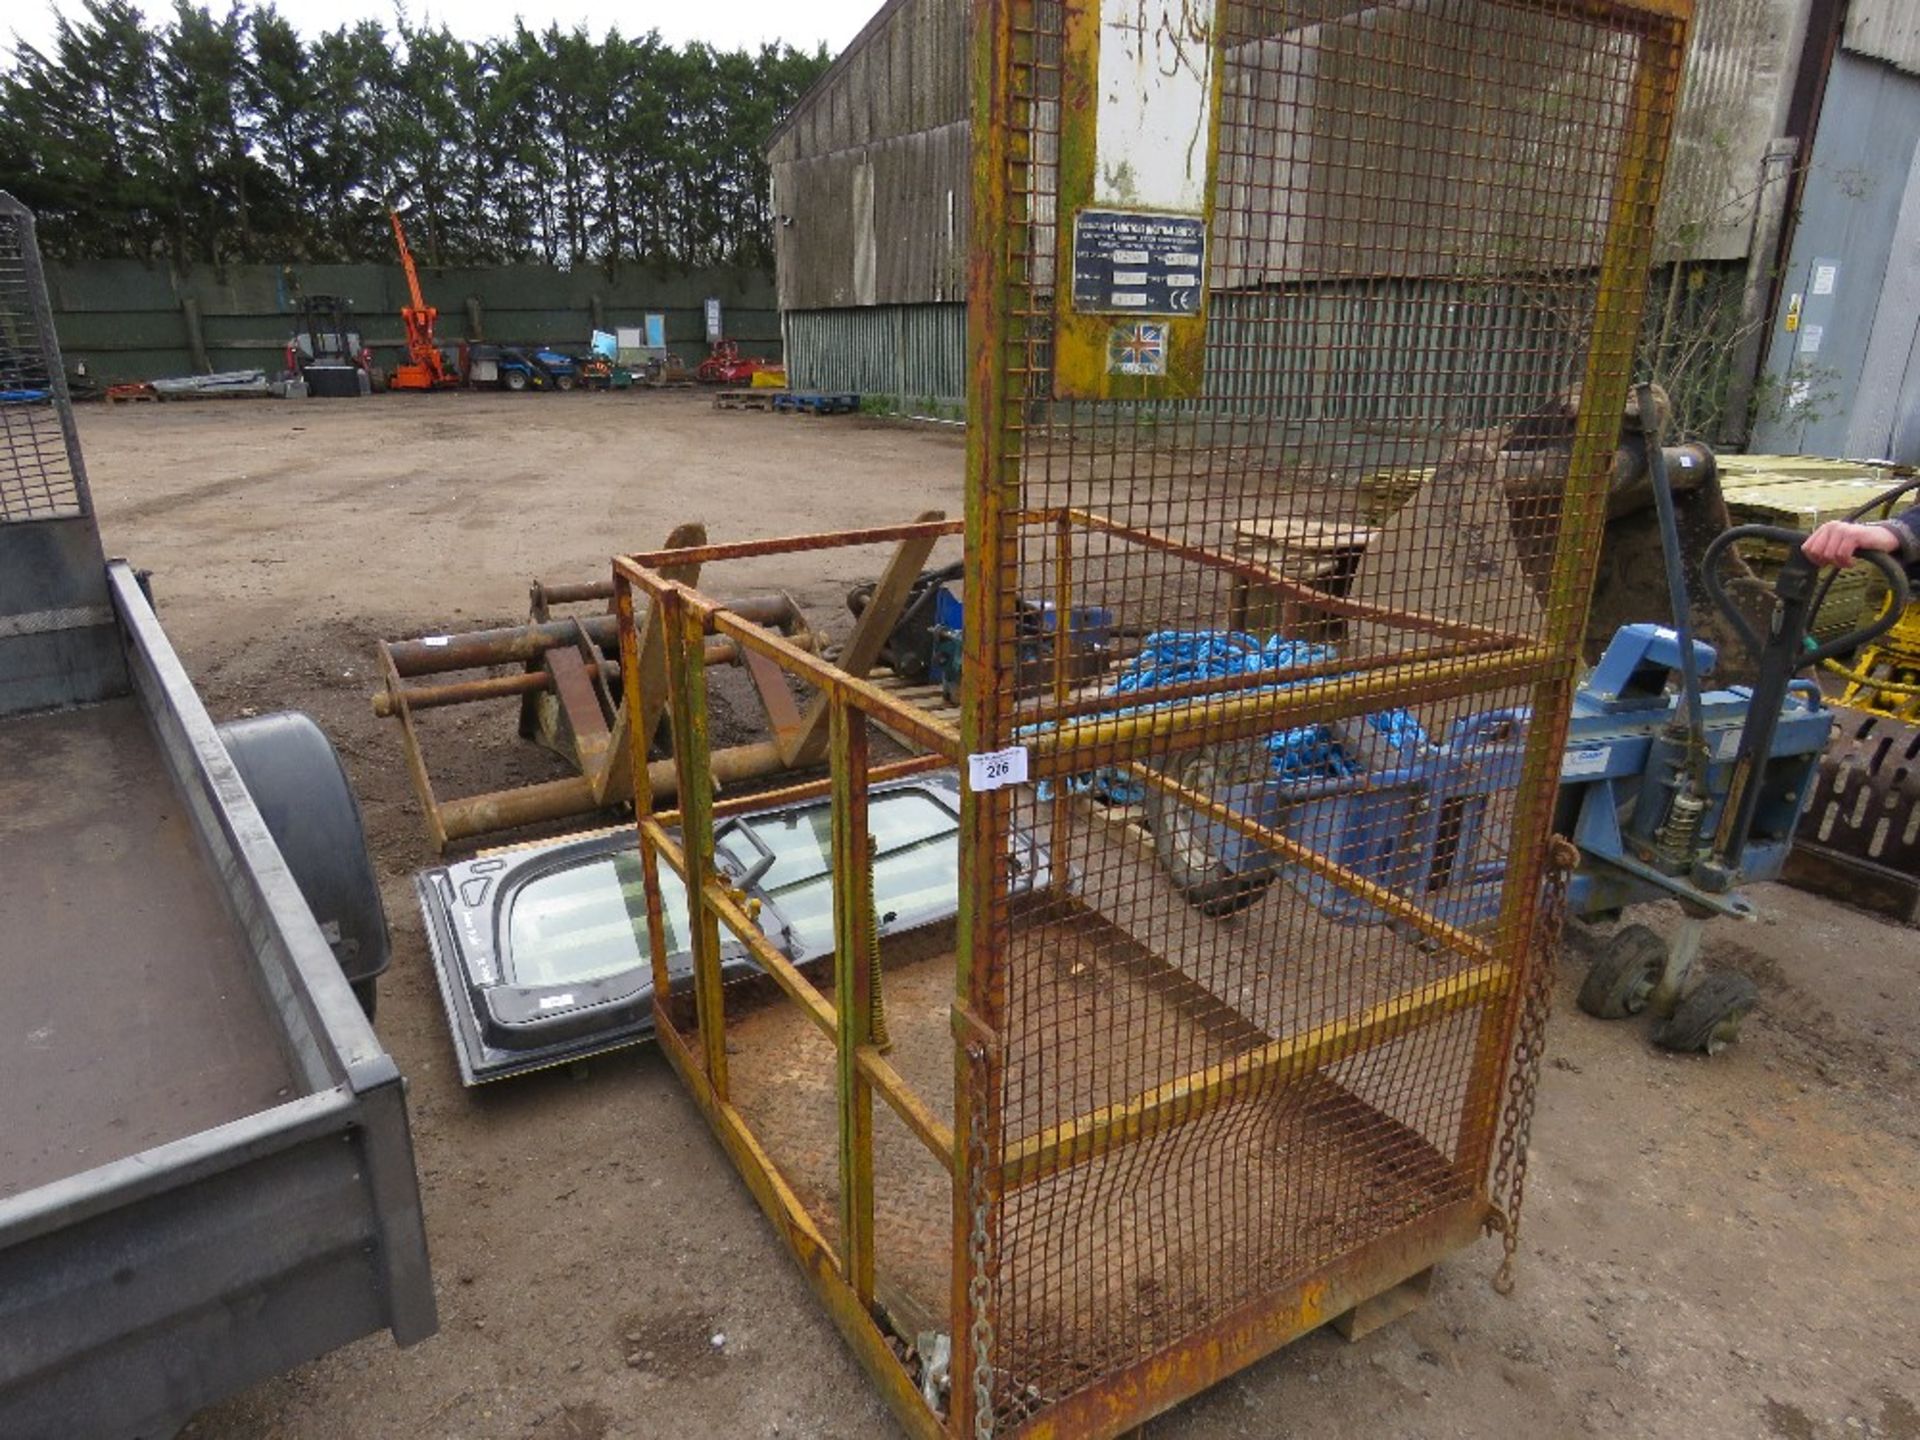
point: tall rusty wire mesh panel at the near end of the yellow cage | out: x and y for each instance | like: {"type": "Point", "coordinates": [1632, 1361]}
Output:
{"type": "Point", "coordinates": [1426, 260]}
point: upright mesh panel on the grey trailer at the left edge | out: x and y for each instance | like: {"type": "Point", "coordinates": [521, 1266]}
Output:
{"type": "Point", "coordinates": [39, 473]}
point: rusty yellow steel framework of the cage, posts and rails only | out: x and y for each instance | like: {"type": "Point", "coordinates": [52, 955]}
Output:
{"type": "Point", "coordinates": [1068, 736]}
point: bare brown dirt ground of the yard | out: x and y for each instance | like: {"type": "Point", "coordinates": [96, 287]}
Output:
{"type": "Point", "coordinates": [1714, 1247]}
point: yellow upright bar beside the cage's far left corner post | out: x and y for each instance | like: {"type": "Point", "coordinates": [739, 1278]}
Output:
{"type": "Point", "coordinates": [686, 633]}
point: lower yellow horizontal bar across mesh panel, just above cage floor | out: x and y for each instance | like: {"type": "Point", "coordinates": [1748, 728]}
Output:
{"type": "Point", "coordinates": [1180, 1101]}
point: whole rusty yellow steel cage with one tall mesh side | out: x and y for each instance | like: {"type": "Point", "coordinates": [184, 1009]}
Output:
{"type": "Point", "coordinates": [1239, 1022]}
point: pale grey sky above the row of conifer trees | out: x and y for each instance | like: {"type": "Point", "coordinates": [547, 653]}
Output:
{"type": "Point", "coordinates": [723, 24]}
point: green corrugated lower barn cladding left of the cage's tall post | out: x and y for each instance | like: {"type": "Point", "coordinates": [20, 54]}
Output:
{"type": "Point", "coordinates": [907, 358]}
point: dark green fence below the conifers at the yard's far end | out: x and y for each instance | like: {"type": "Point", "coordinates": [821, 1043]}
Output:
{"type": "Point", "coordinates": [128, 324]}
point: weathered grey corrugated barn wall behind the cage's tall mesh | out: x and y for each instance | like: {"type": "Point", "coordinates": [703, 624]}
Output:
{"type": "Point", "coordinates": [873, 178]}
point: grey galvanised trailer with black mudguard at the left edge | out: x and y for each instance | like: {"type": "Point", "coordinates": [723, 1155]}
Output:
{"type": "Point", "coordinates": [206, 1172]}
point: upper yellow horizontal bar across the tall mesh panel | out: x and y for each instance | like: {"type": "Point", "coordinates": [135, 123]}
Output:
{"type": "Point", "coordinates": [1115, 740]}
